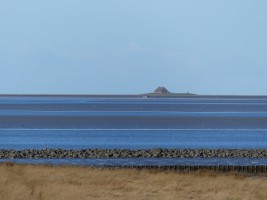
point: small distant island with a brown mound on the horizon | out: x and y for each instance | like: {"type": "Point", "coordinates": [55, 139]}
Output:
{"type": "Point", "coordinates": [164, 92]}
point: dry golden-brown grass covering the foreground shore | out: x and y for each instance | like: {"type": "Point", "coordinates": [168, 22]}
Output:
{"type": "Point", "coordinates": [48, 182]}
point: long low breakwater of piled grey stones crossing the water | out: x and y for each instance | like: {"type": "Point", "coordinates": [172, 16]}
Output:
{"type": "Point", "coordinates": [126, 153]}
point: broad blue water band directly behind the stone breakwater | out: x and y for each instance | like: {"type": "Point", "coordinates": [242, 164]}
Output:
{"type": "Point", "coordinates": [132, 139]}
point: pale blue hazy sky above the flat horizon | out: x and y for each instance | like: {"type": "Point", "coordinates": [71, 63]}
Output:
{"type": "Point", "coordinates": [126, 46]}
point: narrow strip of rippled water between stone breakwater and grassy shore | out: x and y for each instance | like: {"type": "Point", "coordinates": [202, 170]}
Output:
{"type": "Point", "coordinates": [145, 161]}
